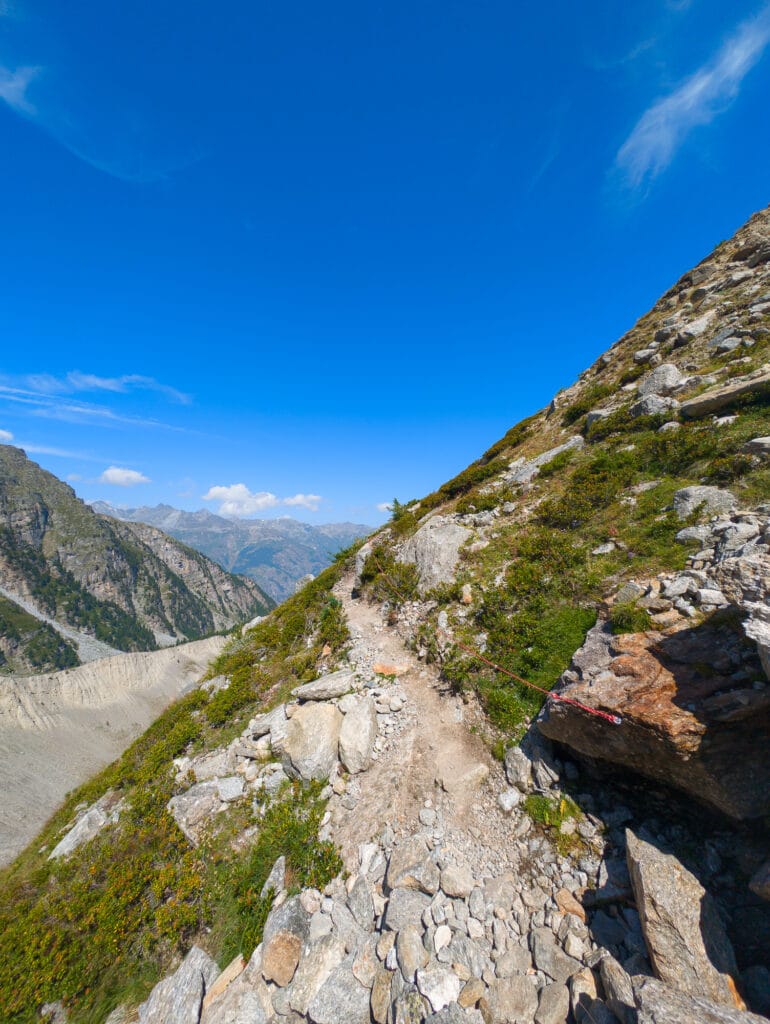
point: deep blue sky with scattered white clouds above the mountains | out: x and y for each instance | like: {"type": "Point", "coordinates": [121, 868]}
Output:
{"type": "Point", "coordinates": [300, 259]}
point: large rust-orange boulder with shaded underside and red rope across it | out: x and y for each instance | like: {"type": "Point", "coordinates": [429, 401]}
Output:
{"type": "Point", "coordinates": [705, 734]}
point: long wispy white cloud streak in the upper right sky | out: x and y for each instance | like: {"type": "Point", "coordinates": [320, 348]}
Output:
{"type": "Point", "coordinates": [698, 101]}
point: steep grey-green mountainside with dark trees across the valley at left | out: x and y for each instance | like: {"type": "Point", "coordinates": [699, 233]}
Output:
{"type": "Point", "coordinates": [69, 577]}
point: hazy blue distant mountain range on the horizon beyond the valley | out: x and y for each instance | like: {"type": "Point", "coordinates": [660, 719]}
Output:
{"type": "Point", "coordinates": [278, 553]}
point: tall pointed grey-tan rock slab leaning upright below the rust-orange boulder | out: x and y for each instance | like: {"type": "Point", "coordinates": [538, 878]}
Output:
{"type": "Point", "coordinates": [687, 942]}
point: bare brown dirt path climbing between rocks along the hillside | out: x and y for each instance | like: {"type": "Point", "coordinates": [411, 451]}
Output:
{"type": "Point", "coordinates": [434, 762]}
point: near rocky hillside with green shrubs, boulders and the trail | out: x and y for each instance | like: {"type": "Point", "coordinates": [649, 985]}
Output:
{"type": "Point", "coordinates": [373, 816]}
